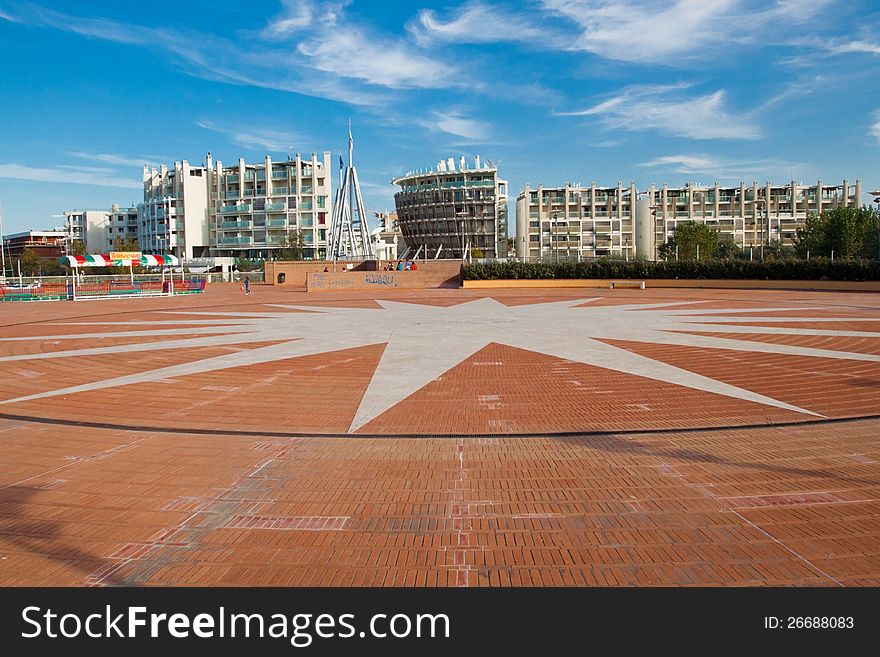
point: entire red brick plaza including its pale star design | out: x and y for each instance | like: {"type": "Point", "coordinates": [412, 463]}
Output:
{"type": "Point", "coordinates": [731, 458]}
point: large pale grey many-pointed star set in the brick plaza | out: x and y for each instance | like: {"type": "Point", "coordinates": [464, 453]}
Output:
{"type": "Point", "coordinates": [422, 342]}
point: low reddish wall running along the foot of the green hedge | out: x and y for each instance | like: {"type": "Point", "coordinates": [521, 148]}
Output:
{"type": "Point", "coordinates": [853, 286]}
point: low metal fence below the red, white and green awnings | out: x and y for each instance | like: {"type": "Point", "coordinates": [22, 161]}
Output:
{"type": "Point", "coordinates": [74, 288]}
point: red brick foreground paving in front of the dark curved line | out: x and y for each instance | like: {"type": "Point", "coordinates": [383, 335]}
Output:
{"type": "Point", "coordinates": [759, 506]}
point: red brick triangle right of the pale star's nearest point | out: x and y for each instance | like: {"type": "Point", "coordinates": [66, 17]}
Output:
{"type": "Point", "coordinates": [501, 389]}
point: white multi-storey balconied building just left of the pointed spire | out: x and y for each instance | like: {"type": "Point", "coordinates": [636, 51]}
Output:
{"type": "Point", "coordinates": [248, 210]}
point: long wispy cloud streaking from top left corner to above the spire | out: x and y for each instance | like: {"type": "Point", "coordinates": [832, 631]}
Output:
{"type": "Point", "coordinates": [337, 62]}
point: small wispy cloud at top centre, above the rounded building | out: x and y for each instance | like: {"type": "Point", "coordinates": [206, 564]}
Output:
{"type": "Point", "coordinates": [477, 22]}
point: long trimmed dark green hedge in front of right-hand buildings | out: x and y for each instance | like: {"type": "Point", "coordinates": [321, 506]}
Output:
{"type": "Point", "coordinates": [809, 270]}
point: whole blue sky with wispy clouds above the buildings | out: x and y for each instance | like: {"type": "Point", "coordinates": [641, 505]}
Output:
{"type": "Point", "coordinates": [552, 90]}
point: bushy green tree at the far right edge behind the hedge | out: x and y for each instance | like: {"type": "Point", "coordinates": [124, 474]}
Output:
{"type": "Point", "coordinates": [848, 232]}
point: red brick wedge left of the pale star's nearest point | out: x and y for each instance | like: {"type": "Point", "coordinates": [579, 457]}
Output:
{"type": "Point", "coordinates": [317, 394]}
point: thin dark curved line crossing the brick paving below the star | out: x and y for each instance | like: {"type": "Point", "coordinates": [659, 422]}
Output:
{"type": "Point", "coordinates": [293, 434]}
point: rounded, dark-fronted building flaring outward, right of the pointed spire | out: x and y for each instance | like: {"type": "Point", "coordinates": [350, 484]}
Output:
{"type": "Point", "coordinates": [448, 212]}
